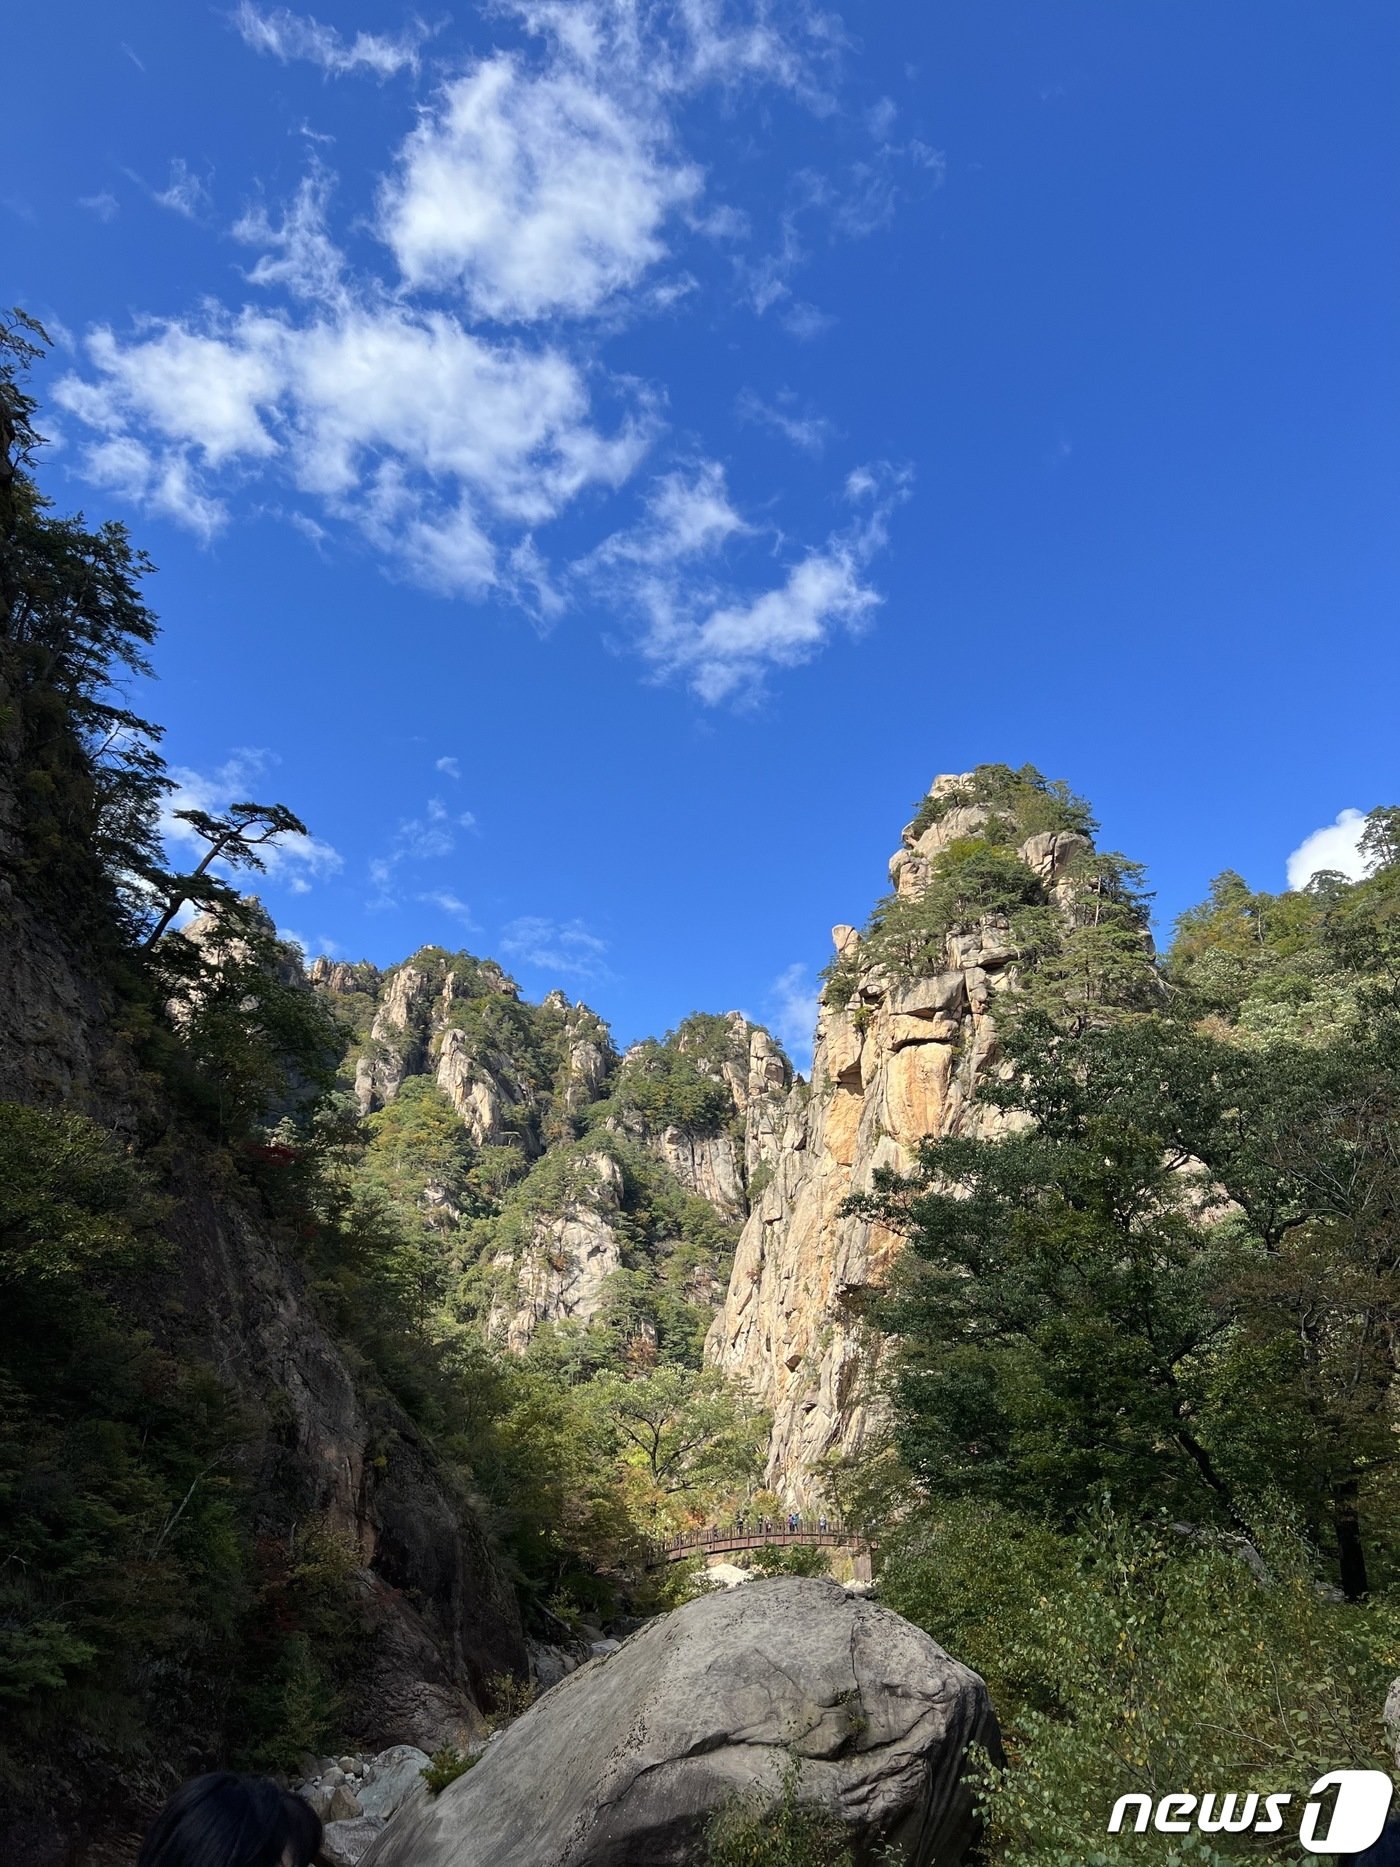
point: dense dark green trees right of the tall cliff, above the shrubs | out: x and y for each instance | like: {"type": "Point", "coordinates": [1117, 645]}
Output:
{"type": "Point", "coordinates": [1177, 1287]}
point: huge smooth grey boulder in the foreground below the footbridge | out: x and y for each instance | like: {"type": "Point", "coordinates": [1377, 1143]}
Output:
{"type": "Point", "coordinates": [624, 1763]}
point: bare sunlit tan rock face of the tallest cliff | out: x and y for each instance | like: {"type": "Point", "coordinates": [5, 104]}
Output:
{"type": "Point", "coordinates": [901, 1061]}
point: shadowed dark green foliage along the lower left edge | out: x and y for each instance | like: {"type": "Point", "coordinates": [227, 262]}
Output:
{"type": "Point", "coordinates": [119, 1461]}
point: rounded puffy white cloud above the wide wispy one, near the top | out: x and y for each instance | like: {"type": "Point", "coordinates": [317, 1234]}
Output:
{"type": "Point", "coordinates": [535, 193]}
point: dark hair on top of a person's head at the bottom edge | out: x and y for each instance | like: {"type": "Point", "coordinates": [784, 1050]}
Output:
{"type": "Point", "coordinates": [232, 1821]}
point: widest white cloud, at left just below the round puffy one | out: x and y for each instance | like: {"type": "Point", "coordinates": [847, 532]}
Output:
{"type": "Point", "coordinates": [410, 427]}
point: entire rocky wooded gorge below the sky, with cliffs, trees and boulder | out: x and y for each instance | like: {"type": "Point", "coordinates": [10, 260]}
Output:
{"type": "Point", "coordinates": [387, 1356]}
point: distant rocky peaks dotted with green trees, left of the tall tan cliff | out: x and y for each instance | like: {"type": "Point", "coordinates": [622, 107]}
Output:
{"type": "Point", "coordinates": [589, 1183]}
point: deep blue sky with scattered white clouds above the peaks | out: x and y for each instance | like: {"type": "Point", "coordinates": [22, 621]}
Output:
{"type": "Point", "coordinates": [606, 460]}
